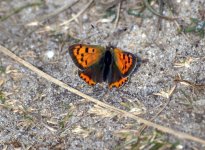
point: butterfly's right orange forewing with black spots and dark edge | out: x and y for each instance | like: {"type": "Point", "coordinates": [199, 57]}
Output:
{"type": "Point", "coordinates": [125, 61]}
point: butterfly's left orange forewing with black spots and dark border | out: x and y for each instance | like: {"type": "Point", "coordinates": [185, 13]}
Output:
{"type": "Point", "coordinates": [85, 56]}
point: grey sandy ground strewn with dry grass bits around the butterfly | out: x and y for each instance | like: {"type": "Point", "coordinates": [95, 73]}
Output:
{"type": "Point", "coordinates": [36, 114]}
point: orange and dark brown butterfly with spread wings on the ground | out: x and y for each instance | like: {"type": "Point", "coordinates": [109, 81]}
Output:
{"type": "Point", "coordinates": [102, 64]}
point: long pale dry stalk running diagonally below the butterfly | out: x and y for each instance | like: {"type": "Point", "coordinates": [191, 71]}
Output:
{"type": "Point", "coordinates": [178, 134]}
